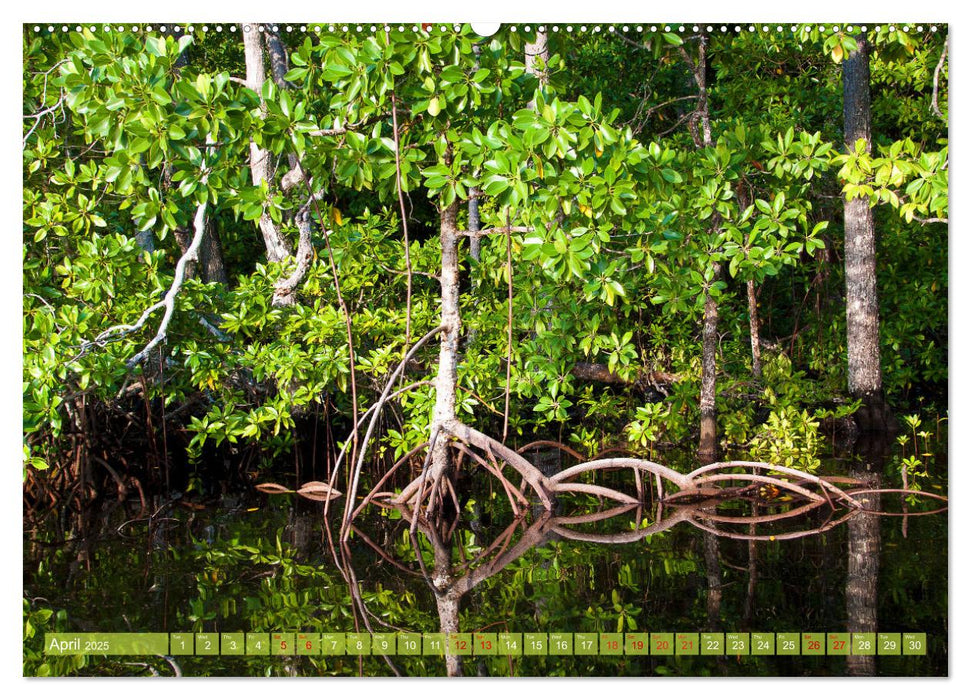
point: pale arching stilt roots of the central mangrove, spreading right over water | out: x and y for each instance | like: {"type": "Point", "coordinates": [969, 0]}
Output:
{"type": "Point", "coordinates": [692, 495]}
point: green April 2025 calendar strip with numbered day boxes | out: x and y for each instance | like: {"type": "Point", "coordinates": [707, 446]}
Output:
{"type": "Point", "coordinates": [722, 644]}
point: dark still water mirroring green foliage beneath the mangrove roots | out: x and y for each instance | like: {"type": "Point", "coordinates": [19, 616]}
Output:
{"type": "Point", "coordinates": [263, 563]}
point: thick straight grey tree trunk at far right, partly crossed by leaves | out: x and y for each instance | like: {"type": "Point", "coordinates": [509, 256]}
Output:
{"type": "Point", "coordinates": [862, 308]}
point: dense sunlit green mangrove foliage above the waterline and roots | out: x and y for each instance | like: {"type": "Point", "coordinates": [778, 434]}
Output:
{"type": "Point", "coordinates": [630, 225]}
